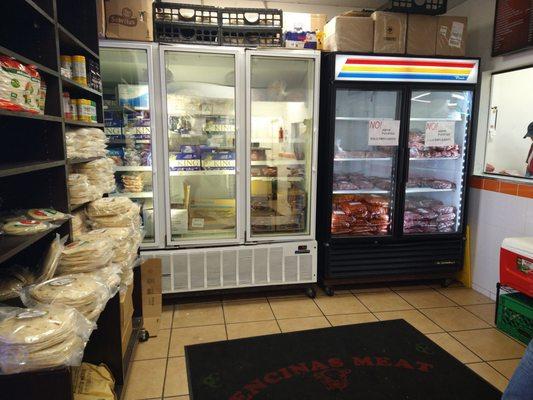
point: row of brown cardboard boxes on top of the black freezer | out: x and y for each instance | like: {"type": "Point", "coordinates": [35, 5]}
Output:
{"type": "Point", "coordinates": [396, 33]}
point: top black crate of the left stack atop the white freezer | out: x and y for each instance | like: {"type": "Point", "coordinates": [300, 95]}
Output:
{"type": "Point", "coordinates": [165, 12]}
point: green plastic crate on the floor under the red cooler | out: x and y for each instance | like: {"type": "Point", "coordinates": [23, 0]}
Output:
{"type": "Point", "coordinates": [515, 316]}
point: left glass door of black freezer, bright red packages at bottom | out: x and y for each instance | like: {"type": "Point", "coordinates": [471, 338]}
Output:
{"type": "Point", "coordinates": [367, 127]}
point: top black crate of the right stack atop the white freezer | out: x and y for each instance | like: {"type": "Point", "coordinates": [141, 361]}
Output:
{"type": "Point", "coordinates": [247, 17]}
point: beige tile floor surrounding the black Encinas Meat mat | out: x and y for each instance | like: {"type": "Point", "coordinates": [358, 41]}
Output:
{"type": "Point", "coordinates": [458, 319]}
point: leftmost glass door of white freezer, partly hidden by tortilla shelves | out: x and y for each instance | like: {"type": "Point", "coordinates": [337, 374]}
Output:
{"type": "Point", "coordinates": [129, 127]}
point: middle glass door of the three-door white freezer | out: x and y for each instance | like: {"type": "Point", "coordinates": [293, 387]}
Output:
{"type": "Point", "coordinates": [201, 142]}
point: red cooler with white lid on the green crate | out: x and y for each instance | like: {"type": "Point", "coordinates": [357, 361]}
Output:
{"type": "Point", "coordinates": [516, 264]}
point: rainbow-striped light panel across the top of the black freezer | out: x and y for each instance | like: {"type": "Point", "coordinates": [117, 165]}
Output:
{"type": "Point", "coordinates": [405, 69]}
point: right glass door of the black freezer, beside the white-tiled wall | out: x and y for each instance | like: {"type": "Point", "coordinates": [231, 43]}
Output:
{"type": "Point", "coordinates": [439, 123]}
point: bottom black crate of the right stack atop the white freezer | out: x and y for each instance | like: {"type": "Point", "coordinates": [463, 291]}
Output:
{"type": "Point", "coordinates": [258, 37]}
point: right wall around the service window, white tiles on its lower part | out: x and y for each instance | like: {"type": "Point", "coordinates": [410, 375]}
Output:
{"type": "Point", "coordinates": [493, 214]}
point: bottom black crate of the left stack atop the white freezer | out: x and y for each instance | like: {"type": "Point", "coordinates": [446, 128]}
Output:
{"type": "Point", "coordinates": [187, 33]}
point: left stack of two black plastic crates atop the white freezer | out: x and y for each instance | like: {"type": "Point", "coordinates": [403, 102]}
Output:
{"type": "Point", "coordinates": [186, 23]}
